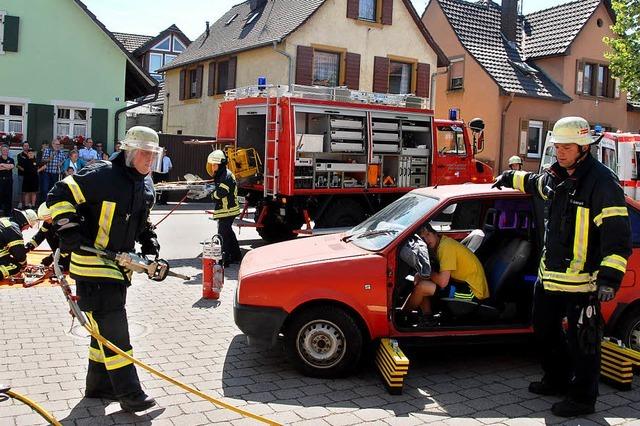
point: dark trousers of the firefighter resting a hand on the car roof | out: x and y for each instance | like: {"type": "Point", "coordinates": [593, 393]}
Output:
{"type": "Point", "coordinates": [567, 360]}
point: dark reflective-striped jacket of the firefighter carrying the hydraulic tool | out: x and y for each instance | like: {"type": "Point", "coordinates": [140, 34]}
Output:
{"type": "Point", "coordinates": [112, 203]}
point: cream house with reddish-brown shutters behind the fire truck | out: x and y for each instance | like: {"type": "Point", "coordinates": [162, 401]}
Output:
{"type": "Point", "coordinates": [371, 45]}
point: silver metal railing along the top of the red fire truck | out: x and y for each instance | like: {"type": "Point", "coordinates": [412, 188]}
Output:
{"type": "Point", "coordinates": [340, 94]}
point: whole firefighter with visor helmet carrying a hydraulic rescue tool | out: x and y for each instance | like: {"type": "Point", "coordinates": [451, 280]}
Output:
{"type": "Point", "coordinates": [106, 205]}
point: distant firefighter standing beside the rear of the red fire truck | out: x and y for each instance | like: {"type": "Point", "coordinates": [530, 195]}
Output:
{"type": "Point", "coordinates": [226, 207]}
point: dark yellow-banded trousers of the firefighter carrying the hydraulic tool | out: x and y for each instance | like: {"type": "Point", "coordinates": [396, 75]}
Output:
{"type": "Point", "coordinates": [108, 373]}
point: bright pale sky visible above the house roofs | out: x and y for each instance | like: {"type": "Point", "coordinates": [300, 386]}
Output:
{"type": "Point", "coordinates": [152, 16]}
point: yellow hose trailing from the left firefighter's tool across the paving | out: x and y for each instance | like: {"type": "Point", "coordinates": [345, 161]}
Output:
{"type": "Point", "coordinates": [82, 319]}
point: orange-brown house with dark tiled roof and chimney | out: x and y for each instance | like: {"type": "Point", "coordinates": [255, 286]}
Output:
{"type": "Point", "coordinates": [521, 73]}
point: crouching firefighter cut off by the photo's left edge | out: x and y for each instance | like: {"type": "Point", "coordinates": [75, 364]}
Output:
{"type": "Point", "coordinates": [13, 255]}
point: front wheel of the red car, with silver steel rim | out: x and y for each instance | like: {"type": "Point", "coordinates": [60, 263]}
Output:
{"type": "Point", "coordinates": [324, 341]}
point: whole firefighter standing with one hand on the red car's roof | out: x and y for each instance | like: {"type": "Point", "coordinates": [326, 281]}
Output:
{"type": "Point", "coordinates": [587, 242]}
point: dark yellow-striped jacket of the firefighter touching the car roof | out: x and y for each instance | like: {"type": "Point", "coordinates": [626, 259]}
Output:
{"type": "Point", "coordinates": [587, 232]}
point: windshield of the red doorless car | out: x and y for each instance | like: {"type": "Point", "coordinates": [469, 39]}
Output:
{"type": "Point", "coordinates": [382, 228]}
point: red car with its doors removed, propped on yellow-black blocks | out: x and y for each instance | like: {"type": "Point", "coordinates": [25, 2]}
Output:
{"type": "Point", "coordinates": [330, 295]}
